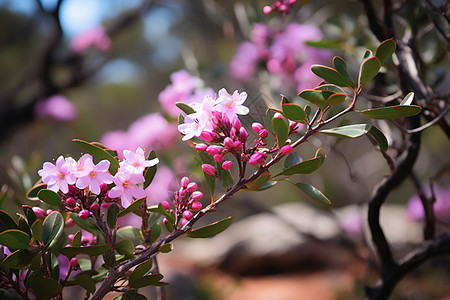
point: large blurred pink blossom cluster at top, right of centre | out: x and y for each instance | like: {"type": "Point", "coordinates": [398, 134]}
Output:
{"type": "Point", "coordinates": [284, 53]}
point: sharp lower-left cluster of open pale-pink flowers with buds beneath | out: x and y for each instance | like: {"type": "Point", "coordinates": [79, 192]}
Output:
{"type": "Point", "coordinates": [78, 181]}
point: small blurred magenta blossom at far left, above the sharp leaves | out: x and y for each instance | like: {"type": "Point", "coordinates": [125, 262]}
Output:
{"type": "Point", "coordinates": [56, 107]}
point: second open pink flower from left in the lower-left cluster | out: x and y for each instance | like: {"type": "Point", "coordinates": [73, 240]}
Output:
{"type": "Point", "coordinates": [92, 175]}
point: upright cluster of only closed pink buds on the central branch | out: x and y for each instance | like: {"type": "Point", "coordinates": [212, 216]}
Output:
{"type": "Point", "coordinates": [186, 202]}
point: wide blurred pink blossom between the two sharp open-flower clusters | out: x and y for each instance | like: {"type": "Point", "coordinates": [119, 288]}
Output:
{"type": "Point", "coordinates": [151, 131]}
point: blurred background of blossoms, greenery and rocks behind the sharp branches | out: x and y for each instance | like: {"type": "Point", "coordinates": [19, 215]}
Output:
{"type": "Point", "coordinates": [96, 69]}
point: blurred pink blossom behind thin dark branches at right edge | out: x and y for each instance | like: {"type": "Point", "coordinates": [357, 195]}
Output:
{"type": "Point", "coordinates": [441, 207]}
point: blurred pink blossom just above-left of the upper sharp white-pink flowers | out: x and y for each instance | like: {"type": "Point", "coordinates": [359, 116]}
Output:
{"type": "Point", "coordinates": [183, 85]}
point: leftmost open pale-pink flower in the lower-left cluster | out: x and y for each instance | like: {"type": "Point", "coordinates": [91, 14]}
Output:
{"type": "Point", "coordinates": [58, 176]}
